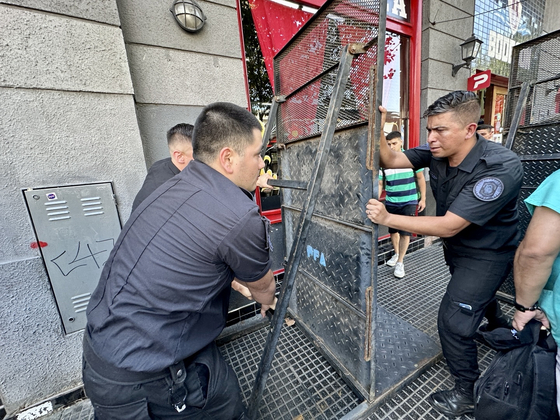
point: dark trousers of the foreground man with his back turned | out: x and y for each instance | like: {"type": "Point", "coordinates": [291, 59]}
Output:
{"type": "Point", "coordinates": [210, 390]}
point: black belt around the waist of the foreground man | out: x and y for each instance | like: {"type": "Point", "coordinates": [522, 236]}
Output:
{"type": "Point", "coordinates": [177, 371]}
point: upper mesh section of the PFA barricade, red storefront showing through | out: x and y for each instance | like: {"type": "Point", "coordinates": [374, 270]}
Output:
{"type": "Point", "coordinates": [306, 69]}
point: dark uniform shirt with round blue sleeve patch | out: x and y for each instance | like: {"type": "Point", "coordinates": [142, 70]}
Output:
{"type": "Point", "coordinates": [483, 189]}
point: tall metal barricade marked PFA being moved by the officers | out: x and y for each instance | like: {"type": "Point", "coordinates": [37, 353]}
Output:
{"type": "Point", "coordinates": [335, 291]}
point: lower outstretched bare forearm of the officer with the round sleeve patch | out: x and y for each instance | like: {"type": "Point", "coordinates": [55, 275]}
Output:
{"type": "Point", "coordinates": [443, 226]}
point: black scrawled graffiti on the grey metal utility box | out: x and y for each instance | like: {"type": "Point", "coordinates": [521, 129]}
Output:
{"type": "Point", "coordinates": [83, 255]}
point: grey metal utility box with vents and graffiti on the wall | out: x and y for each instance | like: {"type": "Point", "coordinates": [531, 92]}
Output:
{"type": "Point", "coordinates": [76, 228]}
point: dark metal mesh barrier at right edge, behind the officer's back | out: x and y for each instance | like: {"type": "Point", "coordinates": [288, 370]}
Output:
{"type": "Point", "coordinates": [536, 125]}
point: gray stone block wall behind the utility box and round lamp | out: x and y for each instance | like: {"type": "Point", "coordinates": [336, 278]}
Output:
{"type": "Point", "coordinates": [78, 98]}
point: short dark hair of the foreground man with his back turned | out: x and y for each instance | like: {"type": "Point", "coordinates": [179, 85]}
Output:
{"type": "Point", "coordinates": [220, 125]}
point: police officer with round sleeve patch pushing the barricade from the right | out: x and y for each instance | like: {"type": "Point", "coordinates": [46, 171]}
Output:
{"type": "Point", "coordinates": [476, 184]}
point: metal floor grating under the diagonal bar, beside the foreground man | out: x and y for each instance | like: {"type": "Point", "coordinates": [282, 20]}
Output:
{"type": "Point", "coordinates": [301, 382]}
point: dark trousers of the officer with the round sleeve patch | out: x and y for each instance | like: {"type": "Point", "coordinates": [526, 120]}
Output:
{"type": "Point", "coordinates": [470, 296]}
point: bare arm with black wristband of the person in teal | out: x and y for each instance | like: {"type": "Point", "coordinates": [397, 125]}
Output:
{"type": "Point", "coordinates": [533, 262]}
